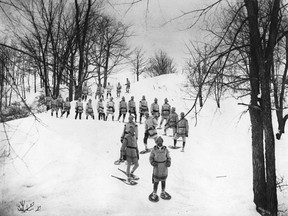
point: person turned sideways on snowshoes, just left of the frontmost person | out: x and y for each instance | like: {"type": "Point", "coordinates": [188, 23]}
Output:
{"type": "Point", "coordinates": [130, 153]}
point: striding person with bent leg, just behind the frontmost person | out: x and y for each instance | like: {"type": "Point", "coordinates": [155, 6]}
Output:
{"type": "Point", "coordinates": [150, 129]}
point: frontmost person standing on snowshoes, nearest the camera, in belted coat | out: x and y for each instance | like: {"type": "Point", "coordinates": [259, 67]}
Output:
{"type": "Point", "coordinates": [160, 160]}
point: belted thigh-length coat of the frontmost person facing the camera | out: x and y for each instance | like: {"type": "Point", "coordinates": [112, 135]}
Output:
{"type": "Point", "coordinates": [160, 160]}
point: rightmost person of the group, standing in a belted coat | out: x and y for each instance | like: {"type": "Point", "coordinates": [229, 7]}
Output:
{"type": "Point", "coordinates": [182, 130]}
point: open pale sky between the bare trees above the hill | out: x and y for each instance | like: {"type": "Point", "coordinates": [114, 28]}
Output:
{"type": "Point", "coordinates": [156, 27]}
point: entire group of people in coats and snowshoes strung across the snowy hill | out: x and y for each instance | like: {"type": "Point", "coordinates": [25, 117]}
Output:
{"type": "Point", "coordinates": [159, 157]}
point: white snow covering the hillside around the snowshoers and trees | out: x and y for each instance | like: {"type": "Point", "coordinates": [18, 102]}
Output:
{"type": "Point", "coordinates": [65, 165]}
